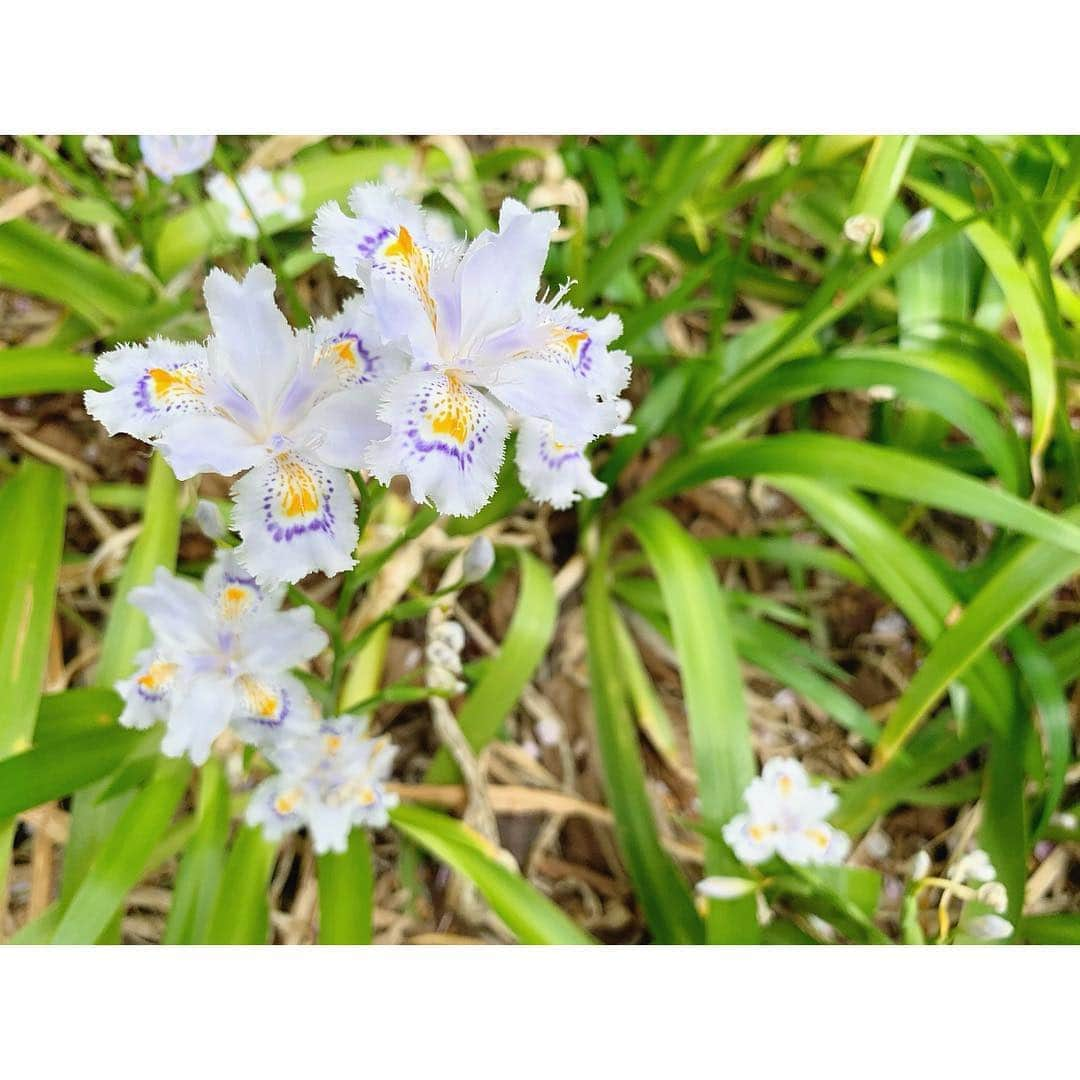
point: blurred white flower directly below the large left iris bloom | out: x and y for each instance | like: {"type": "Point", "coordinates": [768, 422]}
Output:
{"type": "Point", "coordinates": [221, 657]}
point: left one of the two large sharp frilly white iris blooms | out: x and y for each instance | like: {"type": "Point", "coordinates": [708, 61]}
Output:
{"type": "Point", "coordinates": [298, 409]}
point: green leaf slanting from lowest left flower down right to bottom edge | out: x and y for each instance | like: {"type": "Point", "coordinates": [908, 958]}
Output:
{"type": "Point", "coordinates": [531, 916]}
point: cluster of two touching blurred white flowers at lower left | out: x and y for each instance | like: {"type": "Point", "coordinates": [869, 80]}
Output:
{"type": "Point", "coordinates": [222, 659]}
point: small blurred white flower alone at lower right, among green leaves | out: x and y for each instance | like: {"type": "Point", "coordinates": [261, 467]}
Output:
{"type": "Point", "coordinates": [787, 818]}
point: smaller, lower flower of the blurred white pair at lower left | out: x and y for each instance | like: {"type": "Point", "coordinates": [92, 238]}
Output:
{"type": "Point", "coordinates": [331, 779]}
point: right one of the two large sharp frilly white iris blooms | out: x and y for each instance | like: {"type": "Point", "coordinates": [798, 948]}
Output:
{"type": "Point", "coordinates": [482, 352]}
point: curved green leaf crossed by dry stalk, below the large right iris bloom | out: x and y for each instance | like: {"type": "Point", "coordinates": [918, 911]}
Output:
{"type": "Point", "coordinates": [501, 688]}
